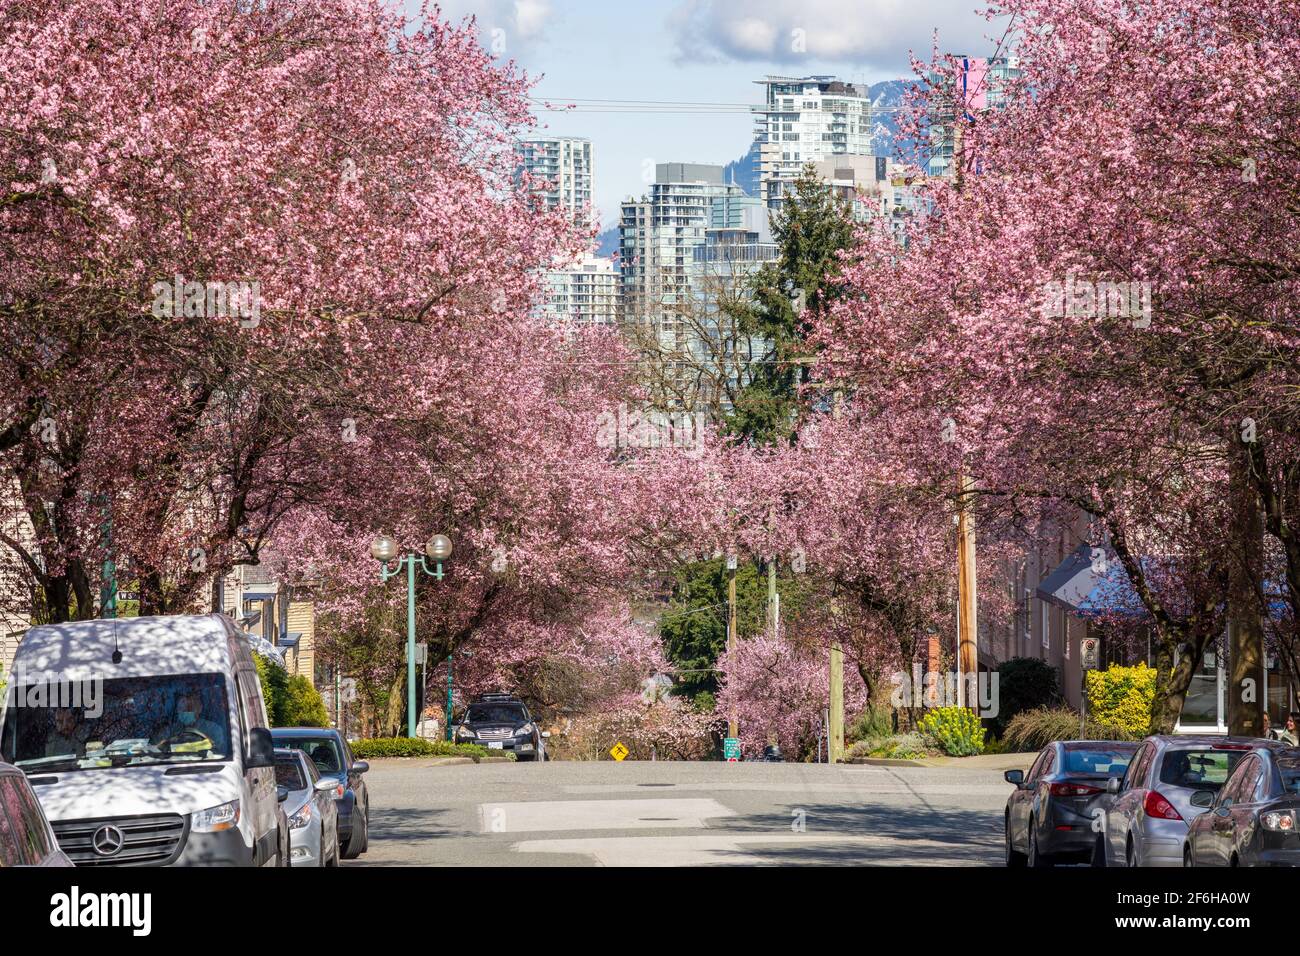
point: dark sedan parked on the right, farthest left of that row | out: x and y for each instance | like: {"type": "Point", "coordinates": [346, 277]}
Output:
{"type": "Point", "coordinates": [1050, 816]}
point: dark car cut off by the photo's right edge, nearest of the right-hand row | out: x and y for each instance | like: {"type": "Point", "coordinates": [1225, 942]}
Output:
{"type": "Point", "coordinates": [1254, 819]}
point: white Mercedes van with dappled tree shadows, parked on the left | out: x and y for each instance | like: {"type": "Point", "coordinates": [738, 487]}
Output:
{"type": "Point", "coordinates": [148, 742]}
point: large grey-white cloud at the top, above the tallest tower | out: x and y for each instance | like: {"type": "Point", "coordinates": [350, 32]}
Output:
{"type": "Point", "coordinates": [870, 33]}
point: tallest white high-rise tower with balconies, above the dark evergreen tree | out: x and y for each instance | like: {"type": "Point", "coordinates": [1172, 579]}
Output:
{"type": "Point", "coordinates": [808, 120]}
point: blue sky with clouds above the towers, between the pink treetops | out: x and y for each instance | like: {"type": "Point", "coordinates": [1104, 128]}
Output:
{"type": "Point", "coordinates": [701, 51]}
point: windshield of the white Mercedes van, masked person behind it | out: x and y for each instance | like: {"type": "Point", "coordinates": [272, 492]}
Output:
{"type": "Point", "coordinates": [118, 723]}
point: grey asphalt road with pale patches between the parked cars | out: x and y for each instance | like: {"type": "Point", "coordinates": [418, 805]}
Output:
{"type": "Point", "coordinates": [679, 815]}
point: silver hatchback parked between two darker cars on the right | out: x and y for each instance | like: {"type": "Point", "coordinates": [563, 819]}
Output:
{"type": "Point", "coordinates": [1149, 810]}
